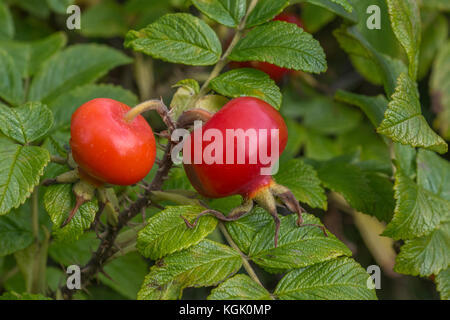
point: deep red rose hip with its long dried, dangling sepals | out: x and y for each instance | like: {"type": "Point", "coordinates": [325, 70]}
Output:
{"type": "Point", "coordinates": [217, 171]}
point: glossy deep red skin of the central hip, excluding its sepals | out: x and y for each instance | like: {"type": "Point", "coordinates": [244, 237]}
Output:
{"type": "Point", "coordinates": [221, 180]}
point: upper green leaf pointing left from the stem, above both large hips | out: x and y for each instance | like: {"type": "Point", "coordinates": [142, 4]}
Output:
{"type": "Point", "coordinates": [177, 38]}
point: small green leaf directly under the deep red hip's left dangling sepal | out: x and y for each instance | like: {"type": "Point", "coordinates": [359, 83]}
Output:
{"type": "Point", "coordinates": [166, 232]}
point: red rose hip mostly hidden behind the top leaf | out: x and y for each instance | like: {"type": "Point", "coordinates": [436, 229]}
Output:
{"type": "Point", "coordinates": [275, 72]}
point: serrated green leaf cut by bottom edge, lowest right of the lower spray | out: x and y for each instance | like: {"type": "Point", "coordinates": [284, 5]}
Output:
{"type": "Point", "coordinates": [338, 279]}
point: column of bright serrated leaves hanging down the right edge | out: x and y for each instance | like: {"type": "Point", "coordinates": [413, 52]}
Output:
{"type": "Point", "coordinates": [422, 207]}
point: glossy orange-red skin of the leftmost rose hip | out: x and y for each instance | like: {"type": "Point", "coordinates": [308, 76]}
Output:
{"type": "Point", "coordinates": [108, 148]}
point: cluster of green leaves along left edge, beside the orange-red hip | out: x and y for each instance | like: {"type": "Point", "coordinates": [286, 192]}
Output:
{"type": "Point", "coordinates": [42, 83]}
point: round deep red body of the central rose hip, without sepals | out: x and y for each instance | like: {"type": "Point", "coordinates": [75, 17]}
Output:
{"type": "Point", "coordinates": [220, 180]}
